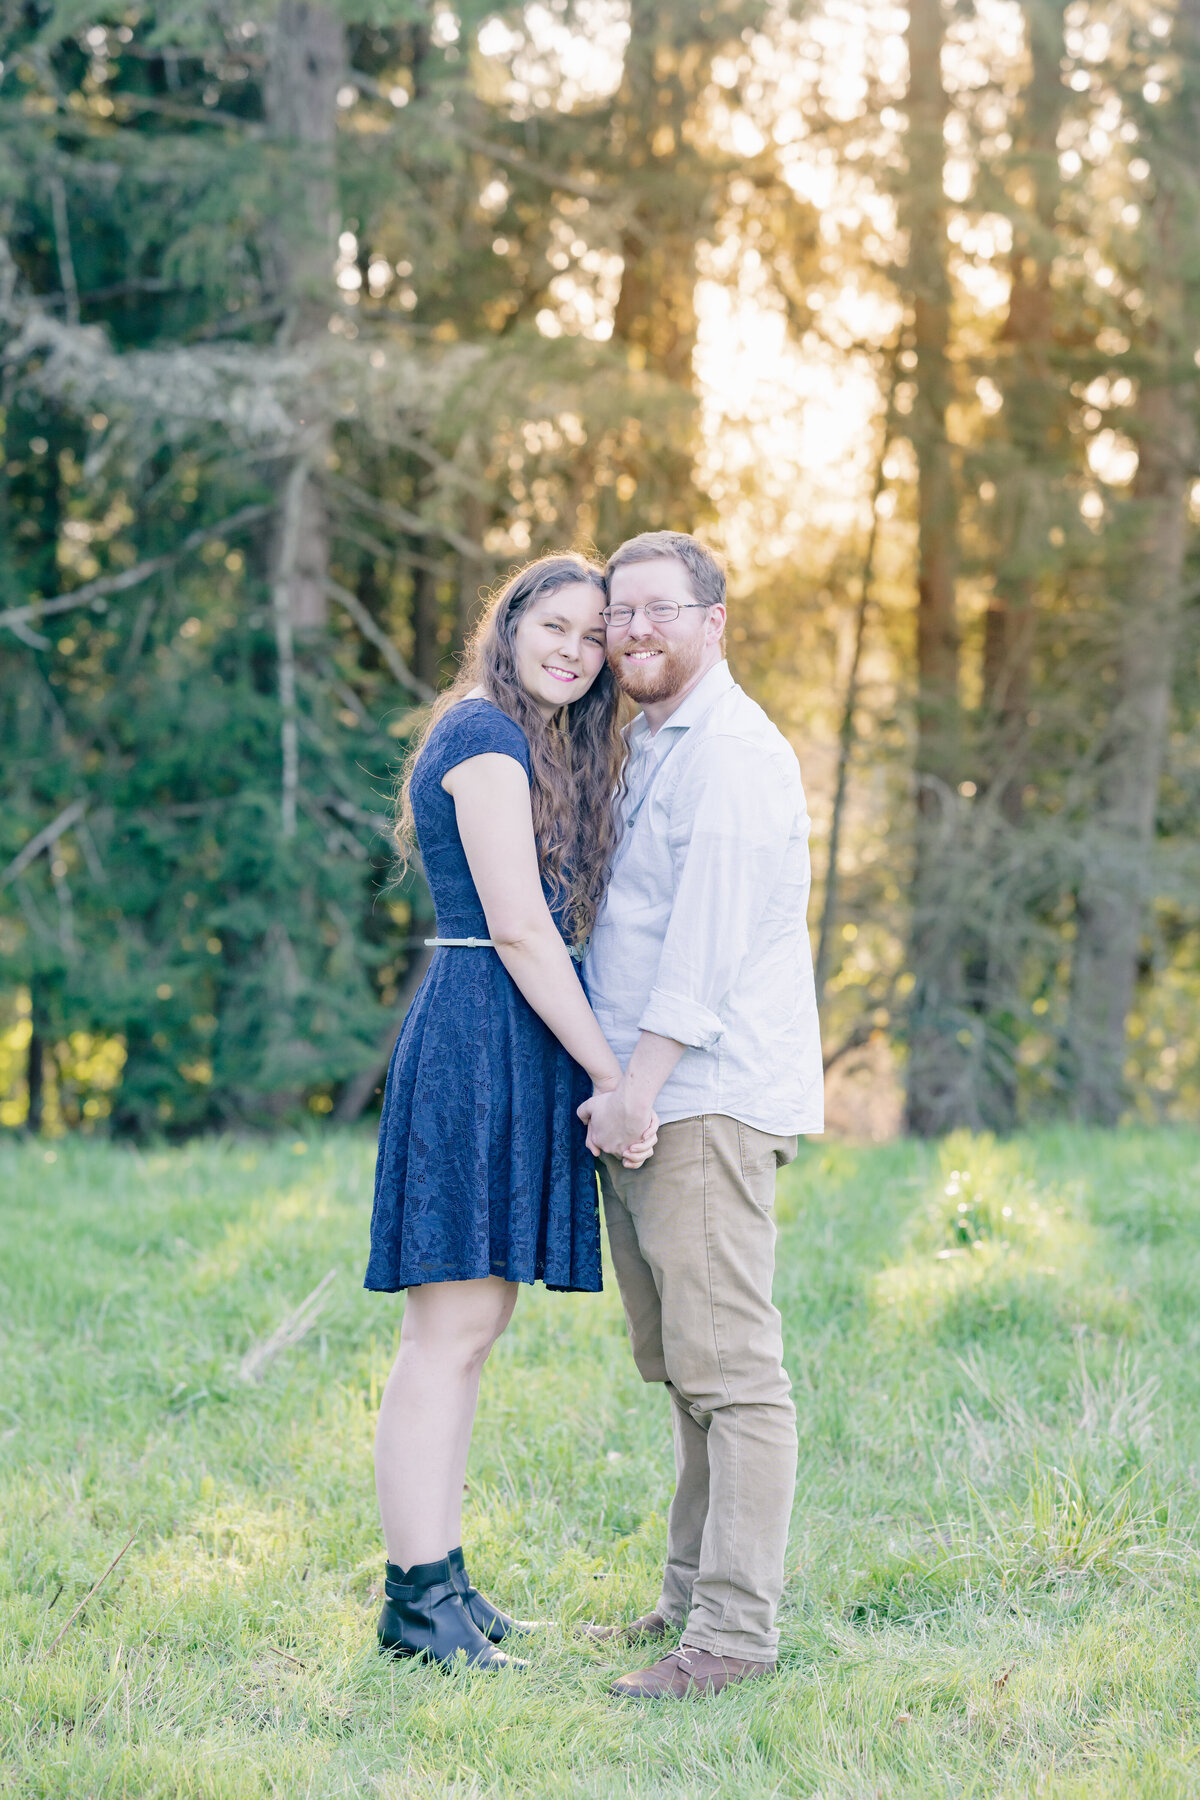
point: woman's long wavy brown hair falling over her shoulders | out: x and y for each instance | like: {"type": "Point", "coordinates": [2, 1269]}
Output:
{"type": "Point", "coordinates": [577, 757]}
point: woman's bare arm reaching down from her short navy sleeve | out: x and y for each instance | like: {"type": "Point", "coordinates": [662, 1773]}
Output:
{"type": "Point", "coordinates": [496, 823]}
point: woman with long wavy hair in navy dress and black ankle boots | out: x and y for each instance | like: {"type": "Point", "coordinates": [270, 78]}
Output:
{"type": "Point", "coordinates": [485, 1178]}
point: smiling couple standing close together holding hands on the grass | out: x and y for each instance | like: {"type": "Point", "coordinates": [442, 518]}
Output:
{"type": "Point", "coordinates": [622, 982]}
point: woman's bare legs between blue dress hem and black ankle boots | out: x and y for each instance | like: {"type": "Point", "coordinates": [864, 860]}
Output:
{"type": "Point", "coordinates": [425, 1423]}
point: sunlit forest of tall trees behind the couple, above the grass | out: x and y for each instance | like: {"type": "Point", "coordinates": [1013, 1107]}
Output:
{"type": "Point", "coordinates": [318, 319]}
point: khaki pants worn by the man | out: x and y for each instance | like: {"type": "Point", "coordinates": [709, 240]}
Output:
{"type": "Point", "coordinates": [694, 1243]}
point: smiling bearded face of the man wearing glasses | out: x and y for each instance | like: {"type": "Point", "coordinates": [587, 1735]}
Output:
{"type": "Point", "coordinates": [654, 661]}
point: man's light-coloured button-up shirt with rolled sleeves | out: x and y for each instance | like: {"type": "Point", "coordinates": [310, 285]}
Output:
{"type": "Point", "coordinates": [703, 933]}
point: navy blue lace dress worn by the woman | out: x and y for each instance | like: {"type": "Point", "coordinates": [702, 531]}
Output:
{"type": "Point", "coordinates": [483, 1164]}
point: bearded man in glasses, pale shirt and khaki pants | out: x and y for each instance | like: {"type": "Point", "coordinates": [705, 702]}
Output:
{"type": "Point", "coordinates": [701, 976]}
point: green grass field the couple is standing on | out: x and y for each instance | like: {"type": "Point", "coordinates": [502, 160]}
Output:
{"type": "Point", "coordinates": [994, 1576]}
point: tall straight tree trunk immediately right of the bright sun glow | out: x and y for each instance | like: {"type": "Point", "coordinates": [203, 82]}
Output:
{"type": "Point", "coordinates": [938, 1066]}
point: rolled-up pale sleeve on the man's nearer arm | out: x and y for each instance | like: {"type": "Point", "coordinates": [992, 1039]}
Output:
{"type": "Point", "coordinates": [735, 814]}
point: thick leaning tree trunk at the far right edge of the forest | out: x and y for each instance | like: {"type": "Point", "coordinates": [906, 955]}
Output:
{"type": "Point", "coordinates": [1111, 901]}
